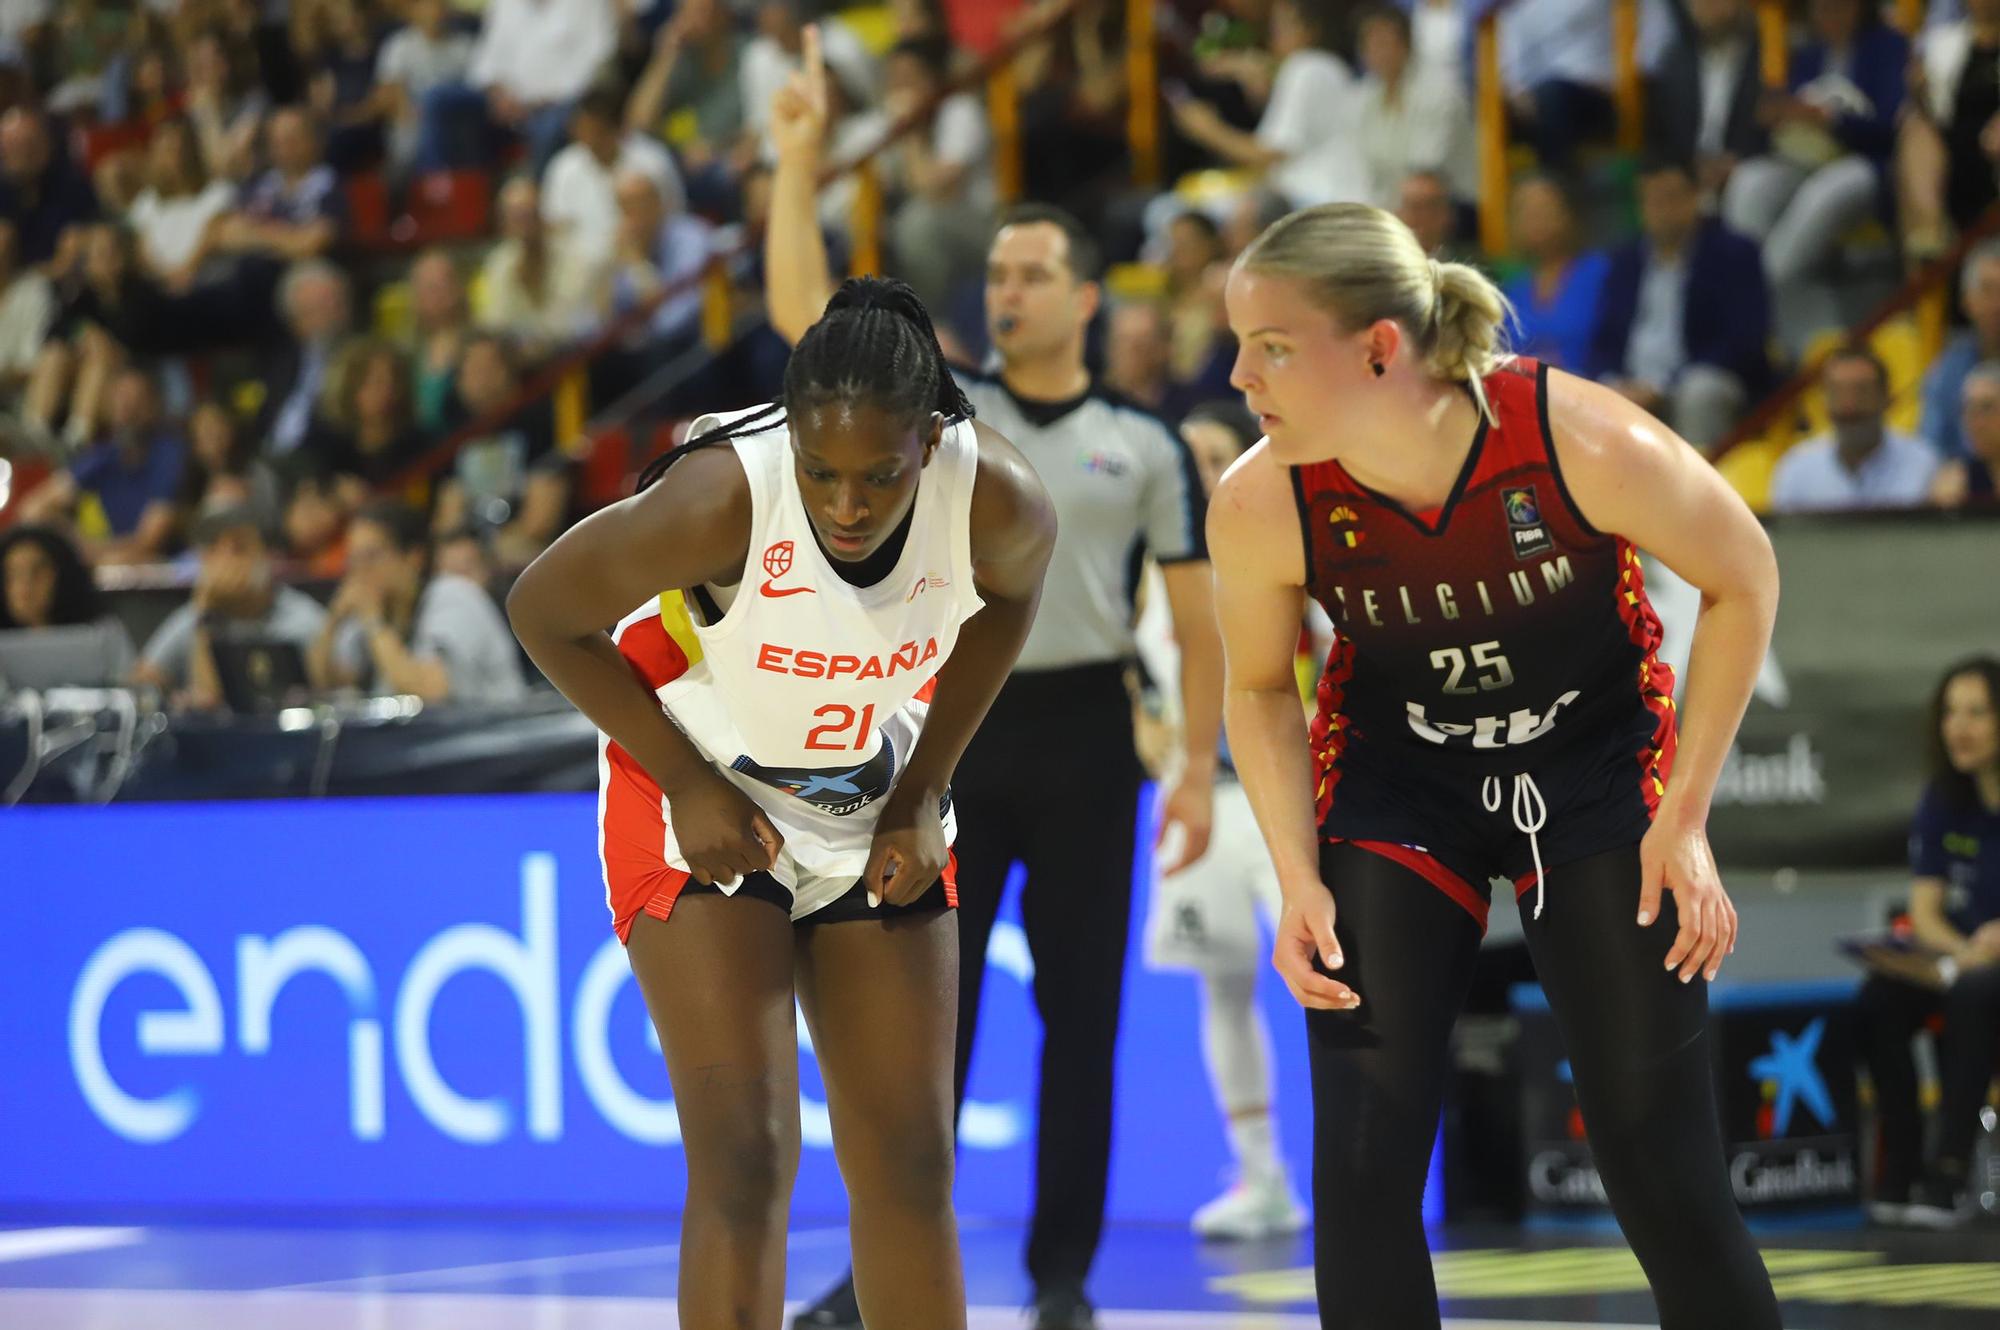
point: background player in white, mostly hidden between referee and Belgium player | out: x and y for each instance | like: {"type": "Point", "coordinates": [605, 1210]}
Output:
{"type": "Point", "coordinates": [1205, 917]}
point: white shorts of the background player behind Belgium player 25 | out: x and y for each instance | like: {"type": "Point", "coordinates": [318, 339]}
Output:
{"type": "Point", "coordinates": [1205, 917]}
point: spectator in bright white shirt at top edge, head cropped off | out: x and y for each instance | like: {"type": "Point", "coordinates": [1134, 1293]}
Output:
{"type": "Point", "coordinates": [535, 59]}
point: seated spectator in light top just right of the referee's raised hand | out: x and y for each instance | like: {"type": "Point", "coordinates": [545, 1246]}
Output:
{"type": "Point", "coordinates": [941, 175]}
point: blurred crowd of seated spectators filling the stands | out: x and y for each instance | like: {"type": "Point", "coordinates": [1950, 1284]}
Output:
{"type": "Point", "coordinates": [265, 259]}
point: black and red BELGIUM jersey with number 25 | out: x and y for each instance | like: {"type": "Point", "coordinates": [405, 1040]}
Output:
{"type": "Point", "coordinates": [1491, 637]}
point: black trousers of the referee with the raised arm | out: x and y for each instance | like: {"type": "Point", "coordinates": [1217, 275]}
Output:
{"type": "Point", "coordinates": [1051, 781]}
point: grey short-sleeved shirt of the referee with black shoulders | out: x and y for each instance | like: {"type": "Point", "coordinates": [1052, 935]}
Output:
{"type": "Point", "coordinates": [1123, 485]}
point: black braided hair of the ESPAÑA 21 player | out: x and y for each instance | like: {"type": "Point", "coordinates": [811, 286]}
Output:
{"type": "Point", "coordinates": [873, 345]}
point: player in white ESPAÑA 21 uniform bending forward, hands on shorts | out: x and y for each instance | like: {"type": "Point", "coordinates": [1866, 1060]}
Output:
{"type": "Point", "coordinates": [847, 581]}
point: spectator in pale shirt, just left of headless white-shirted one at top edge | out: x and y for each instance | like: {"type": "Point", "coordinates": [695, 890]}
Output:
{"type": "Point", "coordinates": [421, 79]}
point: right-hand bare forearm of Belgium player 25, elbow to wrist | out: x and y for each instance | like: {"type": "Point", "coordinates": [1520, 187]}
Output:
{"type": "Point", "coordinates": [1723, 665]}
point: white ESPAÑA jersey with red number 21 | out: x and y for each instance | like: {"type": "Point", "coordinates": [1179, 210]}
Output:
{"type": "Point", "coordinates": [809, 693]}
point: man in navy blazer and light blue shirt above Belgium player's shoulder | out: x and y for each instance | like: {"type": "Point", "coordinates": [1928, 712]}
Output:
{"type": "Point", "coordinates": [1687, 313]}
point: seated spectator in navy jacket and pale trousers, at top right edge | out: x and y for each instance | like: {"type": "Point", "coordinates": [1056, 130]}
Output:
{"type": "Point", "coordinates": [1831, 139]}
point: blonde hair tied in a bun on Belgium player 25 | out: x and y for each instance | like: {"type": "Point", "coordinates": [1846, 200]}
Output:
{"type": "Point", "coordinates": [1363, 265]}
